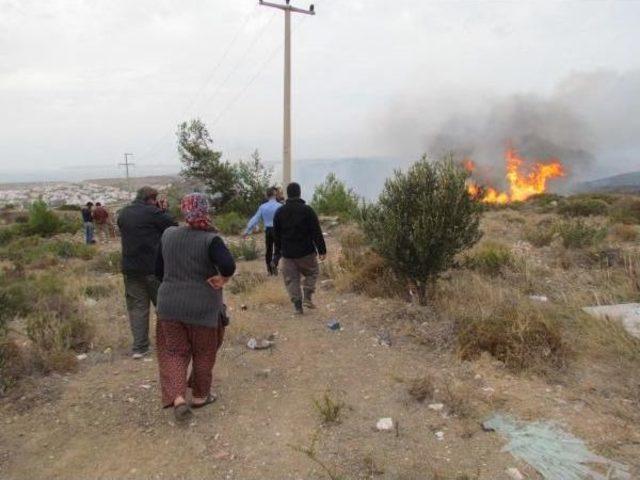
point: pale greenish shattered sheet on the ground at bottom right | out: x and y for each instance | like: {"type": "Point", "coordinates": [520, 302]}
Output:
{"type": "Point", "coordinates": [555, 454]}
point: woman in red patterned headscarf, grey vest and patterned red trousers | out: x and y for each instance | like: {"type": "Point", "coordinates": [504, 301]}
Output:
{"type": "Point", "coordinates": [194, 265]}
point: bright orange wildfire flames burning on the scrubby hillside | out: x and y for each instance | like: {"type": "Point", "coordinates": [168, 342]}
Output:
{"type": "Point", "coordinates": [524, 180]}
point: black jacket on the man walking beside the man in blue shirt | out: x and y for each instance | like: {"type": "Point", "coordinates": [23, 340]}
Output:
{"type": "Point", "coordinates": [297, 230]}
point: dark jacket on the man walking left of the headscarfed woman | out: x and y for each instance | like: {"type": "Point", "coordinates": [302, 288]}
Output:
{"type": "Point", "coordinates": [141, 226]}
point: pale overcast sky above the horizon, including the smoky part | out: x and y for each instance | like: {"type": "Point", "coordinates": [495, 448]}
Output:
{"type": "Point", "coordinates": [83, 81]}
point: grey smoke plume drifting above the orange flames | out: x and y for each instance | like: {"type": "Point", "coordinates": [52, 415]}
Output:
{"type": "Point", "coordinates": [591, 122]}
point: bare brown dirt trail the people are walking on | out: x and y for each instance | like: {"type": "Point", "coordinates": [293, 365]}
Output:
{"type": "Point", "coordinates": [105, 420]}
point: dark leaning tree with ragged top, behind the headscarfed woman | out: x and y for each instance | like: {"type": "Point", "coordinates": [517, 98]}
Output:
{"type": "Point", "coordinates": [202, 163]}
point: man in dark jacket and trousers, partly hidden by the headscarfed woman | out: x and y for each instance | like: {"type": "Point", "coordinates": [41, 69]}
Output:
{"type": "Point", "coordinates": [141, 225]}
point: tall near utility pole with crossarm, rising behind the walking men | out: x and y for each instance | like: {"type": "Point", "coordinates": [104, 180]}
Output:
{"type": "Point", "coordinates": [286, 141]}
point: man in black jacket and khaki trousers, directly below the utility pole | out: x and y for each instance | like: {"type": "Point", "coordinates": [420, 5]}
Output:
{"type": "Point", "coordinates": [299, 239]}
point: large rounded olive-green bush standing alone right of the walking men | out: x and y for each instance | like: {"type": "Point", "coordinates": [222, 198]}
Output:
{"type": "Point", "coordinates": [422, 220]}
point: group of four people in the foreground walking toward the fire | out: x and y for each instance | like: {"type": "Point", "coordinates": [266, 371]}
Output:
{"type": "Point", "coordinates": [182, 271]}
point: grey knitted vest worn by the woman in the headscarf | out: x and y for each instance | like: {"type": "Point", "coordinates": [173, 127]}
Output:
{"type": "Point", "coordinates": [185, 295]}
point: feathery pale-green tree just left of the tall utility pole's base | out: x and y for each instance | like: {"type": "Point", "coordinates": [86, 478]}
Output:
{"type": "Point", "coordinates": [253, 181]}
